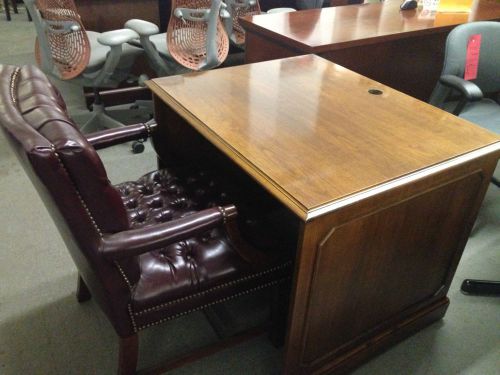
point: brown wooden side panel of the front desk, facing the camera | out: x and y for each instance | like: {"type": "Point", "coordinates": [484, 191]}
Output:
{"type": "Point", "coordinates": [370, 280]}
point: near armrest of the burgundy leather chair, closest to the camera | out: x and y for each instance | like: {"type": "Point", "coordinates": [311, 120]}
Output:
{"type": "Point", "coordinates": [138, 241]}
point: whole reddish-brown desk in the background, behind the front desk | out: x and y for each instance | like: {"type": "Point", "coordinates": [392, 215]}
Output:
{"type": "Point", "coordinates": [404, 50]}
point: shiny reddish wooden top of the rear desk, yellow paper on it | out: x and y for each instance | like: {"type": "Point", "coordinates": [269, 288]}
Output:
{"type": "Point", "coordinates": [326, 29]}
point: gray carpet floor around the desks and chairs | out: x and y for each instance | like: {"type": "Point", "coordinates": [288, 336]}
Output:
{"type": "Point", "coordinates": [43, 330]}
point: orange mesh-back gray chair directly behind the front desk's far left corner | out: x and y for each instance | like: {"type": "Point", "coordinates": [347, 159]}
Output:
{"type": "Point", "coordinates": [195, 38]}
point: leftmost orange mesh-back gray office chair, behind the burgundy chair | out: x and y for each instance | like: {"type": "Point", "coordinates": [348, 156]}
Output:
{"type": "Point", "coordinates": [65, 50]}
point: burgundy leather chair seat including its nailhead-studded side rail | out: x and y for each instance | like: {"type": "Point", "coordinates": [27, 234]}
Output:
{"type": "Point", "coordinates": [187, 274]}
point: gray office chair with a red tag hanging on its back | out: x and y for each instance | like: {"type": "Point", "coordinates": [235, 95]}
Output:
{"type": "Point", "coordinates": [476, 100]}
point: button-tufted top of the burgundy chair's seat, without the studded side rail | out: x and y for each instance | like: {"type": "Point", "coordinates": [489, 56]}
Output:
{"type": "Point", "coordinates": [184, 267]}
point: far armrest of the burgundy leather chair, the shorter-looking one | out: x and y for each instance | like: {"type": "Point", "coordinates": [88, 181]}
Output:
{"type": "Point", "coordinates": [110, 137]}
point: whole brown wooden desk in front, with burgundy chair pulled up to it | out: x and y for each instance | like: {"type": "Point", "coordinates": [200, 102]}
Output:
{"type": "Point", "coordinates": [385, 190]}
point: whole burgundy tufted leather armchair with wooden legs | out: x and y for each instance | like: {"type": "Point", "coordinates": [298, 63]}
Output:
{"type": "Point", "coordinates": [147, 251]}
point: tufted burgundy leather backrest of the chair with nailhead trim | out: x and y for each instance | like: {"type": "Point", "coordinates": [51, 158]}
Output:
{"type": "Point", "coordinates": [70, 178]}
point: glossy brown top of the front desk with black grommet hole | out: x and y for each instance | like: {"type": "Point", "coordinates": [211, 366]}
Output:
{"type": "Point", "coordinates": [310, 132]}
